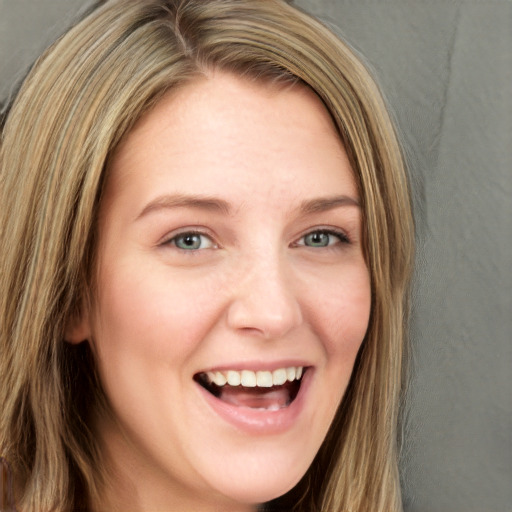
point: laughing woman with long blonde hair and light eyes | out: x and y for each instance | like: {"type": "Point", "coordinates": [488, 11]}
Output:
{"type": "Point", "coordinates": [206, 246]}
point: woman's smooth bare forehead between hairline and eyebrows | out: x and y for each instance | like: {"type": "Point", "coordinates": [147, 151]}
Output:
{"type": "Point", "coordinates": [221, 129]}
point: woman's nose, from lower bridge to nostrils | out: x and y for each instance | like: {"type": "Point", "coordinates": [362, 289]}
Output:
{"type": "Point", "coordinates": [264, 302]}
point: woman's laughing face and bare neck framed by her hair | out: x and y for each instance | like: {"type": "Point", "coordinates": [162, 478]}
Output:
{"type": "Point", "coordinates": [229, 249]}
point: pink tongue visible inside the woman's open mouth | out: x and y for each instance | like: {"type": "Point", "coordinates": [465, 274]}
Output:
{"type": "Point", "coordinates": [273, 398]}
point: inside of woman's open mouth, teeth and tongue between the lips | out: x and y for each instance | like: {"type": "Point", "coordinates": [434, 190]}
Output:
{"type": "Point", "coordinates": [260, 390]}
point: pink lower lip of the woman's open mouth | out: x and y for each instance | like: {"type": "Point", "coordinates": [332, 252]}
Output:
{"type": "Point", "coordinates": [257, 421]}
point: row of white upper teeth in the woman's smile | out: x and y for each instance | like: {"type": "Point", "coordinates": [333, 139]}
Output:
{"type": "Point", "coordinates": [250, 379]}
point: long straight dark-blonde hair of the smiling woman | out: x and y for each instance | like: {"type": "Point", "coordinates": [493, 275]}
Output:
{"type": "Point", "coordinates": [82, 96]}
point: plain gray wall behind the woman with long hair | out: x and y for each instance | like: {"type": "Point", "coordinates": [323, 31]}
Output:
{"type": "Point", "coordinates": [446, 69]}
